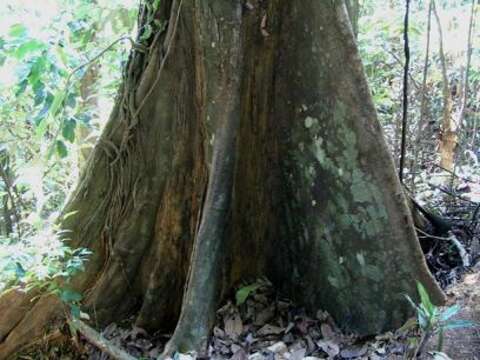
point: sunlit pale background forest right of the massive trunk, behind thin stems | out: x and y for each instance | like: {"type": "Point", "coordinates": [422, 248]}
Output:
{"type": "Point", "coordinates": [380, 45]}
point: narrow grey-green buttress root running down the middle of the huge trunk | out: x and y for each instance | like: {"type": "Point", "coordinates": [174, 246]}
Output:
{"type": "Point", "coordinates": [204, 283]}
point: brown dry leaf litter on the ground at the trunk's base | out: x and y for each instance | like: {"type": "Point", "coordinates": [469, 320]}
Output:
{"type": "Point", "coordinates": [258, 324]}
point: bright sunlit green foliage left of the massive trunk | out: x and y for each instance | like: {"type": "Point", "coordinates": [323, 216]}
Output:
{"type": "Point", "coordinates": [41, 45]}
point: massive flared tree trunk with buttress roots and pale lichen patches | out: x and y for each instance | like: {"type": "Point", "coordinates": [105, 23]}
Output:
{"type": "Point", "coordinates": [243, 143]}
